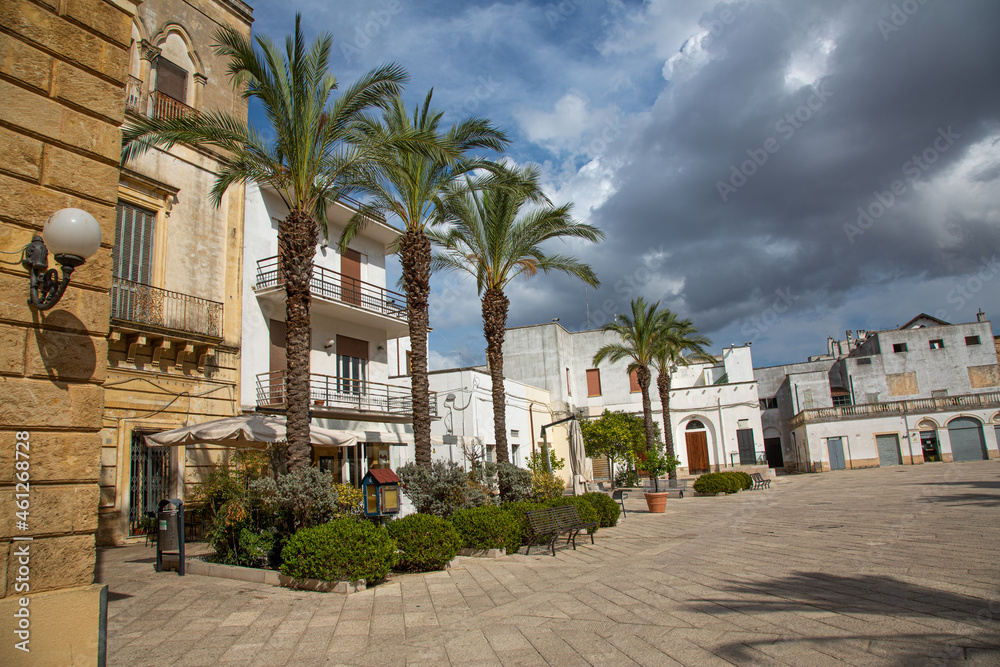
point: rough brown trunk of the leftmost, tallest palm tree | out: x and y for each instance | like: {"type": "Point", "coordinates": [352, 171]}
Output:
{"type": "Point", "coordinates": [297, 238]}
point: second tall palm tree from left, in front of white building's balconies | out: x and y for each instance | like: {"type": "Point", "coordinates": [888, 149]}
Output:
{"type": "Point", "coordinates": [410, 188]}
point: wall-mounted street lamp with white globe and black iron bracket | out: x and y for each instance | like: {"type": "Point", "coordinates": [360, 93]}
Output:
{"type": "Point", "coordinates": [73, 236]}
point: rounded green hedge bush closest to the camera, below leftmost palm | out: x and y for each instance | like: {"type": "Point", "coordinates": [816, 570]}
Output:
{"type": "Point", "coordinates": [343, 549]}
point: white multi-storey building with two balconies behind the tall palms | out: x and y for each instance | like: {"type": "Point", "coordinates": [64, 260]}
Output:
{"type": "Point", "coordinates": [354, 318]}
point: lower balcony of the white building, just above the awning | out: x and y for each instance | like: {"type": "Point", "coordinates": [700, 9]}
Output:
{"type": "Point", "coordinates": [343, 396]}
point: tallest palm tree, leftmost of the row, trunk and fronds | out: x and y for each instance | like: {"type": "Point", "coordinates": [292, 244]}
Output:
{"type": "Point", "coordinates": [321, 149]}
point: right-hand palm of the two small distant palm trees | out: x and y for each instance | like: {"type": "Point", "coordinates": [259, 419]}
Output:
{"type": "Point", "coordinates": [674, 338]}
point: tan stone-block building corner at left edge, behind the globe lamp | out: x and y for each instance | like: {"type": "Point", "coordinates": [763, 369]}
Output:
{"type": "Point", "coordinates": [63, 74]}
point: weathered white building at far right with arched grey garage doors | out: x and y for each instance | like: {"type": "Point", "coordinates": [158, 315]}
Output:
{"type": "Point", "coordinates": [926, 392]}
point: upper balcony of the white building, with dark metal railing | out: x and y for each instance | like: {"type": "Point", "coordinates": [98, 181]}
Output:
{"type": "Point", "coordinates": [342, 297]}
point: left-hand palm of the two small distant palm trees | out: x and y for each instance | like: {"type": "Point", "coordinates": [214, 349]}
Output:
{"type": "Point", "coordinates": [638, 334]}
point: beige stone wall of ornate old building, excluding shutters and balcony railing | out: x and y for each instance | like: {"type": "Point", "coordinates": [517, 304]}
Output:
{"type": "Point", "coordinates": [196, 251]}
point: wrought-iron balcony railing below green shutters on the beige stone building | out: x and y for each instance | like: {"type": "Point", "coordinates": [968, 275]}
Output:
{"type": "Point", "coordinates": [152, 306]}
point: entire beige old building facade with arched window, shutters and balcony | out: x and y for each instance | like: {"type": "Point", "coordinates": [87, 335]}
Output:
{"type": "Point", "coordinates": [173, 351]}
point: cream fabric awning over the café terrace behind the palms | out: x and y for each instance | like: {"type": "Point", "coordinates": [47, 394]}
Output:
{"type": "Point", "coordinates": [255, 430]}
